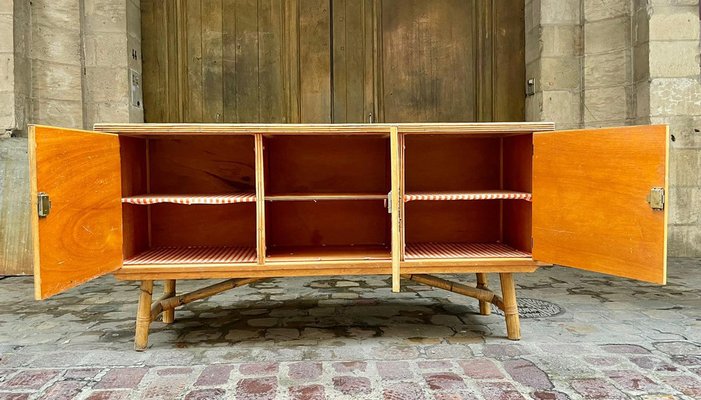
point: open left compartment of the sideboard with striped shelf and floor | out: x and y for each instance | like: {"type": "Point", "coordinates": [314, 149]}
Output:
{"type": "Point", "coordinates": [188, 199]}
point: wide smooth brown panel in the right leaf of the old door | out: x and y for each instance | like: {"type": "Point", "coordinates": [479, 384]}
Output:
{"type": "Point", "coordinates": [428, 61]}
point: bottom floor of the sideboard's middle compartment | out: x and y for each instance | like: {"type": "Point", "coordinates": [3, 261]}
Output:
{"type": "Point", "coordinates": [328, 253]}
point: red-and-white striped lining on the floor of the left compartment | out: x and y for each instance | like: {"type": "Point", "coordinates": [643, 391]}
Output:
{"type": "Point", "coordinates": [194, 255]}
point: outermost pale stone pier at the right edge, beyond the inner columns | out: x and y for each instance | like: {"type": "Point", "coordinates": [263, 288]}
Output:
{"type": "Point", "coordinates": [674, 95]}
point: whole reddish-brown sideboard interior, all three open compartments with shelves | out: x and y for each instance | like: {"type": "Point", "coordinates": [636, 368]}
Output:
{"type": "Point", "coordinates": [193, 200]}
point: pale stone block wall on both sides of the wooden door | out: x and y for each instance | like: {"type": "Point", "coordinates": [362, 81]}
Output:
{"type": "Point", "coordinates": [595, 63]}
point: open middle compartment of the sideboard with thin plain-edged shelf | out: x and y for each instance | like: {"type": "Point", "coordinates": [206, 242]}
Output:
{"type": "Point", "coordinates": [326, 197]}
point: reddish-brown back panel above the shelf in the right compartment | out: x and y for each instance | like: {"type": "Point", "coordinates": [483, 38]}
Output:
{"type": "Point", "coordinates": [451, 163]}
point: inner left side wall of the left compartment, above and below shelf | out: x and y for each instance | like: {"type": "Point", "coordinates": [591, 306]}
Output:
{"type": "Point", "coordinates": [134, 182]}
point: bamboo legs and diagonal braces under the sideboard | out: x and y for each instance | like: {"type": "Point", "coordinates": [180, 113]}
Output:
{"type": "Point", "coordinates": [149, 311]}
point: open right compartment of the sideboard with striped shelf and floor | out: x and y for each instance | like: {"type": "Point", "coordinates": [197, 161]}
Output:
{"type": "Point", "coordinates": [467, 196]}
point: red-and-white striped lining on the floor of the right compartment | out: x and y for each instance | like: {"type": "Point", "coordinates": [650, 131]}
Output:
{"type": "Point", "coordinates": [461, 250]}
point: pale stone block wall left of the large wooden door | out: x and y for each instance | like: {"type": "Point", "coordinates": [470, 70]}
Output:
{"type": "Point", "coordinates": [65, 63]}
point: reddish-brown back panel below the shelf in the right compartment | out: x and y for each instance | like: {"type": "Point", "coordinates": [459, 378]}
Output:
{"type": "Point", "coordinates": [452, 221]}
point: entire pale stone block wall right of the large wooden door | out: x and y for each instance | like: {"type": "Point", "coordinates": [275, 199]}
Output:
{"type": "Point", "coordinates": [622, 62]}
